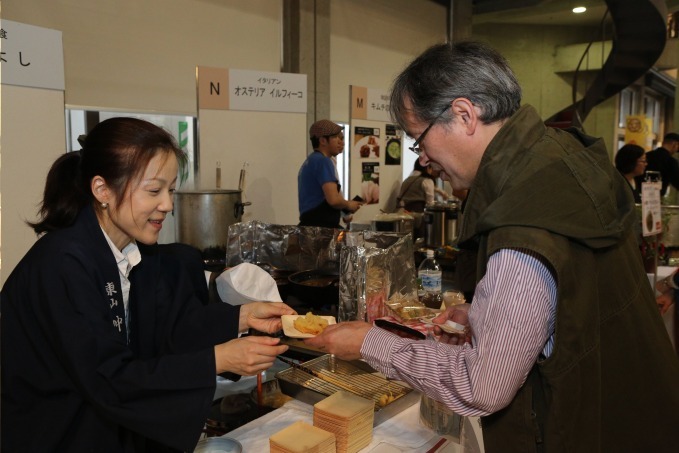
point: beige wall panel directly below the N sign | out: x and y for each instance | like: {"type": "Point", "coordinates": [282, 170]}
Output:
{"type": "Point", "coordinates": [273, 144]}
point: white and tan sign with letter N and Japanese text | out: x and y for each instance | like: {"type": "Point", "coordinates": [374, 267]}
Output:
{"type": "Point", "coordinates": [238, 89]}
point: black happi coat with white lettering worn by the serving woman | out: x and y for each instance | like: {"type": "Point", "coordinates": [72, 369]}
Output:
{"type": "Point", "coordinates": [68, 372]}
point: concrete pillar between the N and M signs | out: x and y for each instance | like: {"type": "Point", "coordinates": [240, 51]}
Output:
{"type": "Point", "coordinates": [306, 50]}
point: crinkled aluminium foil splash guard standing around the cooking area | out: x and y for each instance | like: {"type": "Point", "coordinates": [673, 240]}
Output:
{"type": "Point", "coordinates": [372, 265]}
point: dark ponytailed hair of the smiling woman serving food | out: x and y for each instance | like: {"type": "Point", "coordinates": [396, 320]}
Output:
{"type": "Point", "coordinates": [118, 150]}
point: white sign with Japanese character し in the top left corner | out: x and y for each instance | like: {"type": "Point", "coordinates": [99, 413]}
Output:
{"type": "Point", "coordinates": [31, 56]}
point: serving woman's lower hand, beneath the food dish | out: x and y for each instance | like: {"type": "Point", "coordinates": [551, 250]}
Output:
{"type": "Point", "coordinates": [247, 356]}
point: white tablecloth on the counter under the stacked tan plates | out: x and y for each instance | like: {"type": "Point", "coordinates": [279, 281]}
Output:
{"type": "Point", "coordinates": [401, 433]}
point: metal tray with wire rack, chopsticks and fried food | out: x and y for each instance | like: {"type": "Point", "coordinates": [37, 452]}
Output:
{"type": "Point", "coordinates": [342, 375]}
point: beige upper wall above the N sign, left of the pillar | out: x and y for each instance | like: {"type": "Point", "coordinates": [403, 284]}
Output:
{"type": "Point", "coordinates": [142, 55]}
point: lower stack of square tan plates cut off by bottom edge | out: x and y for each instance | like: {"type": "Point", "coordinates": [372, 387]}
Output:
{"type": "Point", "coordinates": [301, 437]}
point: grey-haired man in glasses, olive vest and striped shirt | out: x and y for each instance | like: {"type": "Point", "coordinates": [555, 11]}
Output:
{"type": "Point", "coordinates": [551, 219]}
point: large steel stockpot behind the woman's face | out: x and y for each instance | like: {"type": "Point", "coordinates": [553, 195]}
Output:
{"type": "Point", "coordinates": [202, 219]}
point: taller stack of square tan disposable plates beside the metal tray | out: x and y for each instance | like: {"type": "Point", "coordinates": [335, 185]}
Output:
{"type": "Point", "coordinates": [349, 417]}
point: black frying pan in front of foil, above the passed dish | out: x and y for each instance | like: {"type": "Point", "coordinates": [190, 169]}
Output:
{"type": "Point", "coordinates": [315, 287]}
